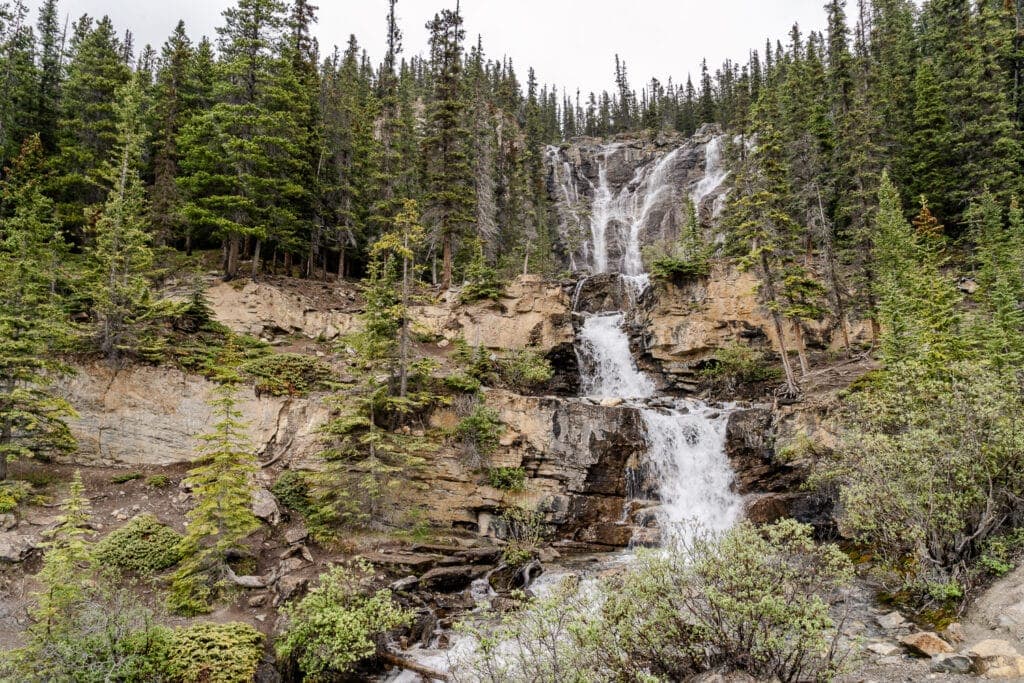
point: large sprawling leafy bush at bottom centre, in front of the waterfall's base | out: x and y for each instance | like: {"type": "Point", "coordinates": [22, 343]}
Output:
{"type": "Point", "coordinates": [757, 601]}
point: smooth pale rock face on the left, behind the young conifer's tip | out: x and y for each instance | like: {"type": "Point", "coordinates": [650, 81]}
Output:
{"type": "Point", "coordinates": [145, 415]}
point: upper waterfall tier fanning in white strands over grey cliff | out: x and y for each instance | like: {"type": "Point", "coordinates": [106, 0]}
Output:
{"type": "Point", "coordinates": [614, 199]}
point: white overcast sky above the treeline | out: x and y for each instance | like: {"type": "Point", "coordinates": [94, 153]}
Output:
{"type": "Point", "coordinates": [569, 42]}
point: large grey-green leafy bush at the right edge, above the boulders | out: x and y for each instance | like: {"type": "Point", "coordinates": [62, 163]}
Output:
{"type": "Point", "coordinates": [930, 466]}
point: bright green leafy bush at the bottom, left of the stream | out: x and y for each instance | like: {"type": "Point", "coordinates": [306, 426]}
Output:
{"type": "Point", "coordinates": [335, 626]}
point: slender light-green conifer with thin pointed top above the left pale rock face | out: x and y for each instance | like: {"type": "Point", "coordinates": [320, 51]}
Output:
{"type": "Point", "coordinates": [122, 258]}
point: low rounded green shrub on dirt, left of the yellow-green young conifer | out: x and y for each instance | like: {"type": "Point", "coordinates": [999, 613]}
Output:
{"type": "Point", "coordinates": [143, 545]}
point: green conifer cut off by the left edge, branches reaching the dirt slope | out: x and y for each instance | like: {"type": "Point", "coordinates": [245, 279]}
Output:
{"type": "Point", "coordinates": [33, 326]}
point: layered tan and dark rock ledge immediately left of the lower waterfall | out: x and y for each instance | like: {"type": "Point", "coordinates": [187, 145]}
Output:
{"type": "Point", "coordinates": [576, 455]}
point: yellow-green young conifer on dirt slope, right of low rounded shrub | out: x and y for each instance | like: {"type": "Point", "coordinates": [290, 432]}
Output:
{"type": "Point", "coordinates": [222, 519]}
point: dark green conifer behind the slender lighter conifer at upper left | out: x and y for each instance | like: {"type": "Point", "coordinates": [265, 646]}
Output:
{"type": "Point", "coordinates": [88, 131]}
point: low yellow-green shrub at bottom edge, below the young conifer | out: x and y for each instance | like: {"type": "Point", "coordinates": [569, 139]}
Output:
{"type": "Point", "coordinates": [216, 654]}
